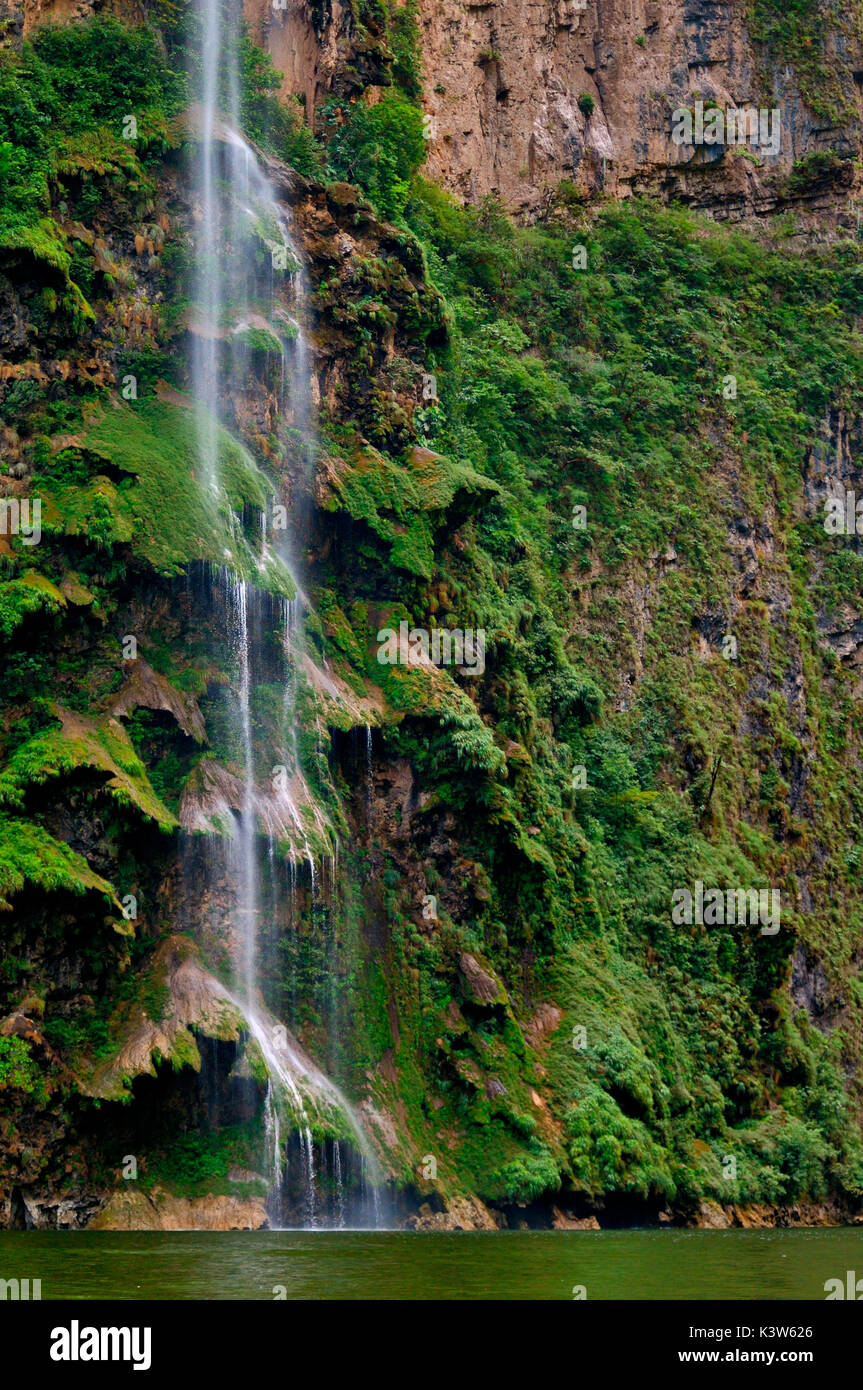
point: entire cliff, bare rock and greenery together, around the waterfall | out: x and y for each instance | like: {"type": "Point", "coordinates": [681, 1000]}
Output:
{"type": "Point", "coordinates": [614, 466]}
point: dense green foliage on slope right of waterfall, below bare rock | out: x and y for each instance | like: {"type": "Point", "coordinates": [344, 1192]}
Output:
{"type": "Point", "coordinates": [602, 390]}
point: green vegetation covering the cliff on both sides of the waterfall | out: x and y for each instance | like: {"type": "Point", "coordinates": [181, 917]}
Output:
{"type": "Point", "coordinates": [615, 479]}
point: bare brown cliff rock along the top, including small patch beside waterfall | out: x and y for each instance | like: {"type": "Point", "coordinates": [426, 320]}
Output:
{"type": "Point", "coordinates": [526, 94]}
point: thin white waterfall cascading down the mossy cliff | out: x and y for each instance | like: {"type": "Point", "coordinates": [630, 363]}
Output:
{"type": "Point", "coordinates": [243, 241]}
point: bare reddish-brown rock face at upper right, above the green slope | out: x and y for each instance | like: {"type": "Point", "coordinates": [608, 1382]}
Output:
{"type": "Point", "coordinates": [513, 73]}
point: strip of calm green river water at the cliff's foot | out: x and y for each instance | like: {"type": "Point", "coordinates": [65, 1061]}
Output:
{"type": "Point", "coordinates": [632, 1264]}
